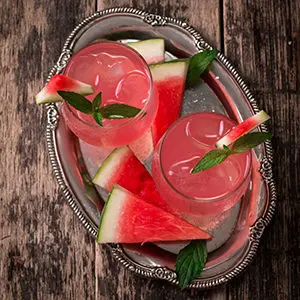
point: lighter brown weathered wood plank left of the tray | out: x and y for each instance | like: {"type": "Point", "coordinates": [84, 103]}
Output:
{"type": "Point", "coordinates": [44, 251]}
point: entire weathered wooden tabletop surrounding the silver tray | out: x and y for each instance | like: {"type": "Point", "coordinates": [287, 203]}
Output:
{"type": "Point", "coordinates": [45, 252]}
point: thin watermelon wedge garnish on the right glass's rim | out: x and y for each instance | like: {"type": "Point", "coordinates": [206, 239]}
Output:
{"type": "Point", "coordinates": [242, 129]}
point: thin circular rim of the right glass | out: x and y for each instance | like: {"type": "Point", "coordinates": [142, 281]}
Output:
{"type": "Point", "coordinates": [202, 199]}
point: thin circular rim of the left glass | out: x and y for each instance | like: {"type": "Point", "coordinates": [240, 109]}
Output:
{"type": "Point", "coordinates": [141, 113]}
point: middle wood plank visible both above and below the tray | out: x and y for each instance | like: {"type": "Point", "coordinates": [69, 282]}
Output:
{"type": "Point", "coordinates": [112, 278]}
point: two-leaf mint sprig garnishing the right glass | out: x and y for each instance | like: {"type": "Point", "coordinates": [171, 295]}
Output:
{"type": "Point", "coordinates": [243, 144]}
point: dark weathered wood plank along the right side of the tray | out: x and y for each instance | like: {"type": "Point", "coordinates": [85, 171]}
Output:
{"type": "Point", "coordinates": [262, 39]}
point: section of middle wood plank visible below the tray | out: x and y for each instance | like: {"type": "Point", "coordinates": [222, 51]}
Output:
{"type": "Point", "coordinates": [115, 282]}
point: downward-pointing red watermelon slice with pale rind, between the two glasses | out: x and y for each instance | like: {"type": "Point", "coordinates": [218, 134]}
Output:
{"type": "Point", "coordinates": [169, 81]}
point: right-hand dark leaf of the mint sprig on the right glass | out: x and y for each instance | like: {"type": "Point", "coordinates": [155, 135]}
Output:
{"type": "Point", "coordinates": [249, 141]}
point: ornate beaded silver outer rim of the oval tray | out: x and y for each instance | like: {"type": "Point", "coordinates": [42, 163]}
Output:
{"type": "Point", "coordinates": [164, 273]}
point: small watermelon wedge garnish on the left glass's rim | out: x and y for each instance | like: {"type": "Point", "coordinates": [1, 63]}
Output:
{"type": "Point", "coordinates": [61, 83]}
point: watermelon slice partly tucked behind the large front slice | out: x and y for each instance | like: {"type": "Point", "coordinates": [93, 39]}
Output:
{"type": "Point", "coordinates": [123, 168]}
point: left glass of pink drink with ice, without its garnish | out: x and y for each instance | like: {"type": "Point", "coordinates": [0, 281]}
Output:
{"type": "Point", "coordinates": [122, 76]}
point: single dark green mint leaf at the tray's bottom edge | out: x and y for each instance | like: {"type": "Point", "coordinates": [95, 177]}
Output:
{"type": "Point", "coordinates": [190, 262]}
